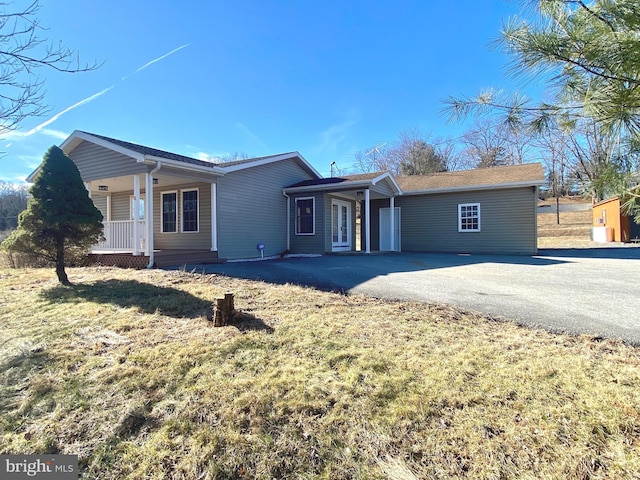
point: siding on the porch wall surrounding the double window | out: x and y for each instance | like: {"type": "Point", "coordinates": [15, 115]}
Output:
{"type": "Point", "coordinates": [200, 240]}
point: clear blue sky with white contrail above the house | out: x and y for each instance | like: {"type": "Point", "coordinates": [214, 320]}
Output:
{"type": "Point", "coordinates": [208, 79]}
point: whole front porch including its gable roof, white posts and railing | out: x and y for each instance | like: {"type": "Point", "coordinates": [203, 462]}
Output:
{"type": "Point", "coordinates": [154, 203]}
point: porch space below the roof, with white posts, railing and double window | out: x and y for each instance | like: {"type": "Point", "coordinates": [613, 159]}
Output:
{"type": "Point", "coordinates": [168, 219]}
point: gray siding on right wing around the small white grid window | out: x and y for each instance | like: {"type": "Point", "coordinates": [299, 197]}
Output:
{"type": "Point", "coordinates": [430, 222]}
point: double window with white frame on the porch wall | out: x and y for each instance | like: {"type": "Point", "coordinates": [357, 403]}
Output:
{"type": "Point", "coordinates": [187, 215]}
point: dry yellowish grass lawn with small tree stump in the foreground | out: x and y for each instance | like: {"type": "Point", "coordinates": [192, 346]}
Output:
{"type": "Point", "coordinates": [124, 370]}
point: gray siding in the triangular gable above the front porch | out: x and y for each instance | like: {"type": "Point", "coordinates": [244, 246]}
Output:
{"type": "Point", "coordinates": [96, 162]}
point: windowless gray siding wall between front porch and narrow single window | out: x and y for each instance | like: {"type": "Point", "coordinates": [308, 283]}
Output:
{"type": "Point", "coordinates": [252, 209]}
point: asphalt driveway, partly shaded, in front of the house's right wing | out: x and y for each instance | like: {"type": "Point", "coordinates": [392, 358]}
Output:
{"type": "Point", "coordinates": [588, 291]}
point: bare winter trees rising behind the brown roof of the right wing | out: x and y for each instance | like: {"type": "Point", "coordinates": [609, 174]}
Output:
{"type": "Point", "coordinates": [582, 159]}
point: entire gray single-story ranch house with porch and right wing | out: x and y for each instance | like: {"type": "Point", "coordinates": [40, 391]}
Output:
{"type": "Point", "coordinates": [162, 209]}
